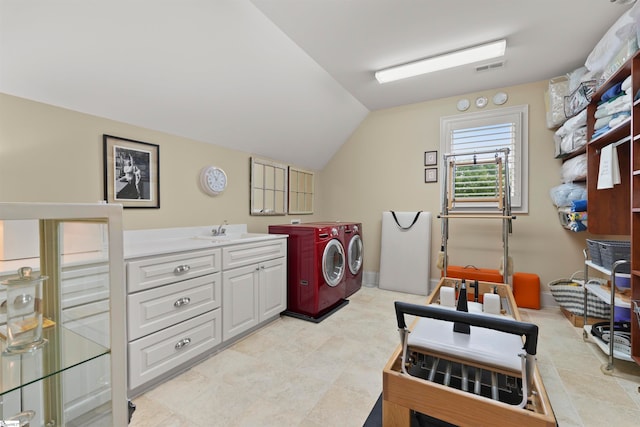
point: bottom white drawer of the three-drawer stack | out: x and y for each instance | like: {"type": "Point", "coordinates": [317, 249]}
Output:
{"type": "Point", "coordinates": [159, 353]}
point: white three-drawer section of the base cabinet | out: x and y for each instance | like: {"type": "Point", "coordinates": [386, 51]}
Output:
{"type": "Point", "coordinates": [173, 312]}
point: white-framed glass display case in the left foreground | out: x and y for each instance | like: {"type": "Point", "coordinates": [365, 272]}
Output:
{"type": "Point", "coordinates": [44, 384]}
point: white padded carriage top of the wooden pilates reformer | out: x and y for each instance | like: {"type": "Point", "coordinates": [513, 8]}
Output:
{"type": "Point", "coordinates": [484, 346]}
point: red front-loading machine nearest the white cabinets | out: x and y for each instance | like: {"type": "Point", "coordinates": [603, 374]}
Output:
{"type": "Point", "coordinates": [316, 262]}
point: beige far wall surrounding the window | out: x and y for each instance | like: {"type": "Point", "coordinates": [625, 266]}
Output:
{"type": "Point", "coordinates": [381, 168]}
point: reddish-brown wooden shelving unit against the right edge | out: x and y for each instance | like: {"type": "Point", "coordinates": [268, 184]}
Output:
{"type": "Point", "coordinates": [616, 211]}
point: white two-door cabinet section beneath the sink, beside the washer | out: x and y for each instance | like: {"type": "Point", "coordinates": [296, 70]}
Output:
{"type": "Point", "coordinates": [252, 292]}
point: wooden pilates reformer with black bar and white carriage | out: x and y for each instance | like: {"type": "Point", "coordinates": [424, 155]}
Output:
{"type": "Point", "coordinates": [486, 377]}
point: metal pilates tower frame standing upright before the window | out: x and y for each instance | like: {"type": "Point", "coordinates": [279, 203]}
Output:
{"type": "Point", "coordinates": [467, 183]}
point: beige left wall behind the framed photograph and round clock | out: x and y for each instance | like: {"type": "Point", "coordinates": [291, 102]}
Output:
{"type": "Point", "coordinates": [49, 154]}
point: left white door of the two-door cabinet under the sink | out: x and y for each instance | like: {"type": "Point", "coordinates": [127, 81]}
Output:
{"type": "Point", "coordinates": [239, 300]}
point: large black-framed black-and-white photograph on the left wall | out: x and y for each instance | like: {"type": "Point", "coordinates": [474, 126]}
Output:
{"type": "Point", "coordinates": [131, 172]}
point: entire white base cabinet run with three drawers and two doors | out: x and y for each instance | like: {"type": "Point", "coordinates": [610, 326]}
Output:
{"type": "Point", "coordinates": [185, 304]}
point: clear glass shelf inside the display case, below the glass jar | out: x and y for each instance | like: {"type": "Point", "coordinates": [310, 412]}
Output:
{"type": "Point", "coordinates": [64, 350]}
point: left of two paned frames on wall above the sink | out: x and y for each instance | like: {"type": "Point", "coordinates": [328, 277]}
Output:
{"type": "Point", "coordinates": [268, 187]}
